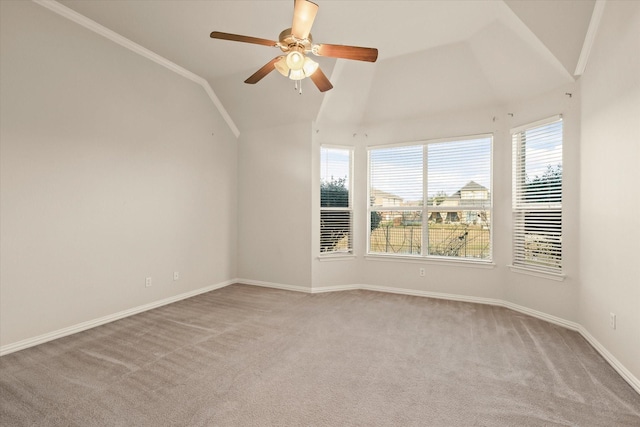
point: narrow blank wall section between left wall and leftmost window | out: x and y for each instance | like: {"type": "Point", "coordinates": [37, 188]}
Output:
{"type": "Point", "coordinates": [274, 206]}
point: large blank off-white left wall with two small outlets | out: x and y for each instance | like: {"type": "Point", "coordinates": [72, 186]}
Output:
{"type": "Point", "coordinates": [113, 169]}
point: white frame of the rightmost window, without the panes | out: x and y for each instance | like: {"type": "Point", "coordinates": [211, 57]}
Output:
{"type": "Point", "coordinates": [520, 208]}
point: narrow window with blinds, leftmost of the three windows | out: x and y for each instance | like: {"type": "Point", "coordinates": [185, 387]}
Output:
{"type": "Point", "coordinates": [335, 200]}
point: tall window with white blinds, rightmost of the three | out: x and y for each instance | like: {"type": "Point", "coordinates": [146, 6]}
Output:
{"type": "Point", "coordinates": [537, 196]}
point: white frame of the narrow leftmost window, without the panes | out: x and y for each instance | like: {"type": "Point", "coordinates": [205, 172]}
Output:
{"type": "Point", "coordinates": [341, 253]}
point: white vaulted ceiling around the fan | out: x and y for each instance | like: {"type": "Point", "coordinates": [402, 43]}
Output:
{"type": "Point", "coordinates": [434, 56]}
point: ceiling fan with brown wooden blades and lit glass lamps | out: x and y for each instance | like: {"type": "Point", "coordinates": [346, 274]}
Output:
{"type": "Point", "coordinates": [296, 42]}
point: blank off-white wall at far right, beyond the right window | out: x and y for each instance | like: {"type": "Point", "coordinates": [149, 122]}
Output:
{"type": "Point", "coordinates": [610, 185]}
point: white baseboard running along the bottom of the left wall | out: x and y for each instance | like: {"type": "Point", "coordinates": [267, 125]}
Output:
{"type": "Point", "coordinates": [41, 339]}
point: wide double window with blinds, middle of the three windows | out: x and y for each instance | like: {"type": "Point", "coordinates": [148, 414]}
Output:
{"type": "Point", "coordinates": [454, 177]}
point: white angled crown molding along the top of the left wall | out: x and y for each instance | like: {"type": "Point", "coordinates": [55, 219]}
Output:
{"type": "Point", "coordinates": [82, 20]}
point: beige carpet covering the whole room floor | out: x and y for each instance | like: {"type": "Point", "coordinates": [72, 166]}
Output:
{"type": "Point", "coordinates": [245, 356]}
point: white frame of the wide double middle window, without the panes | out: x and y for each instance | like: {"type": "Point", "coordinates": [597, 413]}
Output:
{"type": "Point", "coordinates": [426, 209]}
